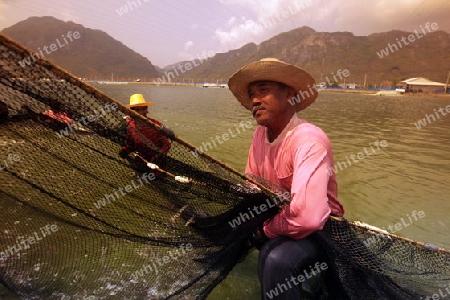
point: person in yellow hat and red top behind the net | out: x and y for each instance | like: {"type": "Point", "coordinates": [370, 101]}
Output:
{"type": "Point", "coordinates": [149, 142]}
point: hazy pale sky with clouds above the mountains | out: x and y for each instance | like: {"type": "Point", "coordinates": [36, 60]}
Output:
{"type": "Point", "coordinates": [167, 31]}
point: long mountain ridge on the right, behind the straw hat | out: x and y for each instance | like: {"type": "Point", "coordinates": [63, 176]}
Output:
{"type": "Point", "coordinates": [381, 58]}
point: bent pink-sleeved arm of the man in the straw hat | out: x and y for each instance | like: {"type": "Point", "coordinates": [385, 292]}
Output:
{"type": "Point", "coordinates": [309, 208]}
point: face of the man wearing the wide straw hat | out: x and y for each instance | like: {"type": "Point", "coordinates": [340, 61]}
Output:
{"type": "Point", "coordinates": [270, 101]}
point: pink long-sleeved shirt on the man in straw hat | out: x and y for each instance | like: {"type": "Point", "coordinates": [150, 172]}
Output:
{"type": "Point", "coordinates": [298, 160]}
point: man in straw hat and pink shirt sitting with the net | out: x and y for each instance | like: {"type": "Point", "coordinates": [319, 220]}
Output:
{"type": "Point", "coordinates": [294, 155]}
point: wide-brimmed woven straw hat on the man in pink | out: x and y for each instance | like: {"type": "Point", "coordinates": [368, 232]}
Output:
{"type": "Point", "coordinates": [272, 69]}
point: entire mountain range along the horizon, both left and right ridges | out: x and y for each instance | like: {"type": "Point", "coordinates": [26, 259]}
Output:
{"type": "Point", "coordinates": [377, 59]}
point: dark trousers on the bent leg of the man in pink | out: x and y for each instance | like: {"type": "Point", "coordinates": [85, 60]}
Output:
{"type": "Point", "coordinates": [285, 264]}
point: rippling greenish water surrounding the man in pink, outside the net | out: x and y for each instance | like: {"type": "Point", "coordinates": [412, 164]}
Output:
{"type": "Point", "coordinates": [381, 188]}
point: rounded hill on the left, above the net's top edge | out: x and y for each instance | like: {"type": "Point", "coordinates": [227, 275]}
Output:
{"type": "Point", "coordinates": [94, 54]}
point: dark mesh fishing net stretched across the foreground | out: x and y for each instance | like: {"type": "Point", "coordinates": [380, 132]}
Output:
{"type": "Point", "coordinates": [83, 220]}
